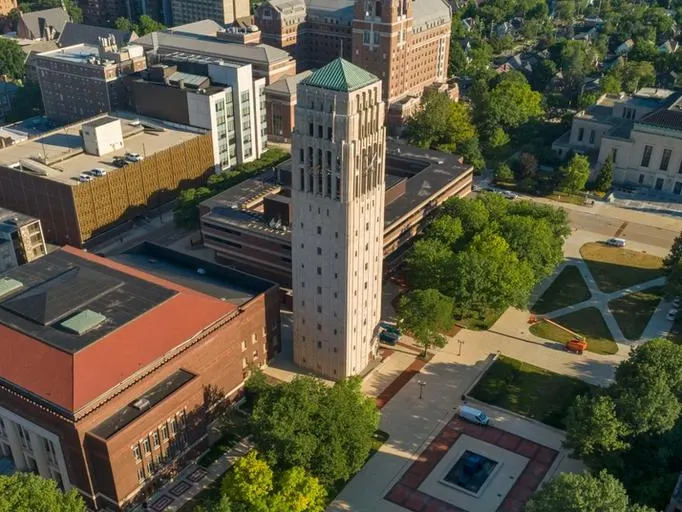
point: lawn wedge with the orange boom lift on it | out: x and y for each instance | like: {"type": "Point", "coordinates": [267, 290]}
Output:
{"type": "Point", "coordinates": [586, 322]}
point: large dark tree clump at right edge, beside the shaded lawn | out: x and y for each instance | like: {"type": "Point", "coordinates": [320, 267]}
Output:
{"type": "Point", "coordinates": [633, 428]}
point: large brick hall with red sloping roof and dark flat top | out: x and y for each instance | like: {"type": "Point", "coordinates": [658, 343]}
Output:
{"type": "Point", "coordinates": [115, 372]}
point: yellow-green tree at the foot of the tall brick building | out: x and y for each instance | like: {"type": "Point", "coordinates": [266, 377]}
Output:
{"type": "Point", "coordinates": [441, 124]}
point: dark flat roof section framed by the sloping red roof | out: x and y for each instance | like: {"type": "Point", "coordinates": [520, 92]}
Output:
{"type": "Point", "coordinates": [59, 286]}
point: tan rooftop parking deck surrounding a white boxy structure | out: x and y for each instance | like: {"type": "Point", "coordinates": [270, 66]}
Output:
{"type": "Point", "coordinates": [59, 156]}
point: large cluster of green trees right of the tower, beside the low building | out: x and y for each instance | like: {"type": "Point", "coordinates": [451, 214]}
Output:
{"type": "Point", "coordinates": [488, 253]}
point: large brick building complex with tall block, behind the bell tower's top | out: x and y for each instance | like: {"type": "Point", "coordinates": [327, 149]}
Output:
{"type": "Point", "coordinates": [405, 44]}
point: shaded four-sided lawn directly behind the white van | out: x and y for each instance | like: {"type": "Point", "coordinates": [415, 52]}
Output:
{"type": "Point", "coordinates": [528, 390]}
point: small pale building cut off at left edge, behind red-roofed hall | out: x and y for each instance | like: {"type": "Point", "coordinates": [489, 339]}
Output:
{"type": "Point", "coordinates": [21, 239]}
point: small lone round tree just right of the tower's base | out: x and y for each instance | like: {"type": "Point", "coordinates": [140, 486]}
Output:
{"type": "Point", "coordinates": [425, 314]}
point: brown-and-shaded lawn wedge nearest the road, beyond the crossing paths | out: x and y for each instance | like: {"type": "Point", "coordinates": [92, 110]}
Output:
{"type": "Point", "coordinates": [616, 268]}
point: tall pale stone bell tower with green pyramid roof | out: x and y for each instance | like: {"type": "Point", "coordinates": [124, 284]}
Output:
{"type": "Point", "coordinates": [338, 217]}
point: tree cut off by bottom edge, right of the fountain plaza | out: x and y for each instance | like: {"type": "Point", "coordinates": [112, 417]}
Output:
{"type": "Point", "coordinates": [570, 492]}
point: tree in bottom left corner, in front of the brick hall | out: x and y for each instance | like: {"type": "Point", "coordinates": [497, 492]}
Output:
{"type": "Point", "coordinates": [26, 492]}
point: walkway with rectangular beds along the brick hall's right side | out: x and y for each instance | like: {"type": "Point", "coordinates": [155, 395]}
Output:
{"type": "Point", "coordinates": [193, 480]}
